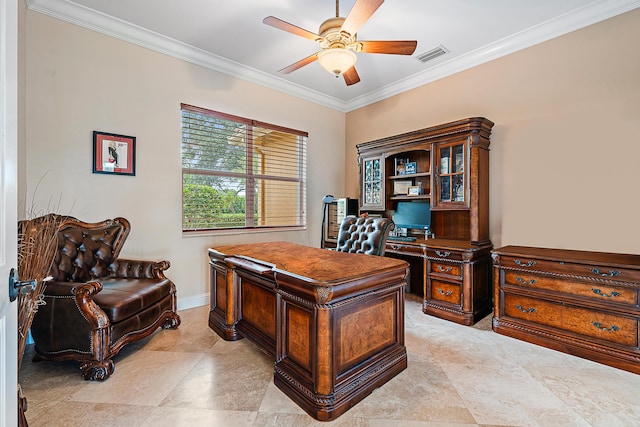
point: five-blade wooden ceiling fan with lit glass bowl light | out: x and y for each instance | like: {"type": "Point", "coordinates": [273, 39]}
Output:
{"type": "Point", "coordinates": [337, 38]}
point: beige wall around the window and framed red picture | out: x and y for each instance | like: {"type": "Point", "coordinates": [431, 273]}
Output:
{"type": "Point", "coordinates": [78, 81]}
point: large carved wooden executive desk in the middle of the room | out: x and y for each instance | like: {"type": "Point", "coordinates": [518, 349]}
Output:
{"type": "Point", "coordinates": [332, 321]}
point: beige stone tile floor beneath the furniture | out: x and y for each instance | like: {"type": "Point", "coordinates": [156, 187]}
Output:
{"type": "Point", "coordinates": [457, 376]}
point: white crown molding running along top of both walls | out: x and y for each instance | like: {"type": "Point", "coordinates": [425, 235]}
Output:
{"type": "Point", "coordinates": [74, 13]}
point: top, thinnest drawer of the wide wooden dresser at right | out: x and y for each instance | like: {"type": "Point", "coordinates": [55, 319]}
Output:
{"type": "Point", "coordinates": [597, 272]}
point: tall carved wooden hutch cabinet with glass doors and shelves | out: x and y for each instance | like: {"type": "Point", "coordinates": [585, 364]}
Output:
{"type": "Point", "coordinates": [446, 169]}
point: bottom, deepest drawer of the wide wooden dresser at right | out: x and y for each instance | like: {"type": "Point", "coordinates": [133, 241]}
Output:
{"type": "Point", "coordinates": [605, 326]}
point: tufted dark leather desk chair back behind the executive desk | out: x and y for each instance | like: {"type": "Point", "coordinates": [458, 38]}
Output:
{"type": "Point", "coordinates": [364, 235]}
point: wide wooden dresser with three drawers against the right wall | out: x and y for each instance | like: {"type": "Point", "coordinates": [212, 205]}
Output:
{"type": "Point", "coordinates": [578, 302]}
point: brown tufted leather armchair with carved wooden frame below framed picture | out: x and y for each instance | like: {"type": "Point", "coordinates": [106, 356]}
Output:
{"type": "Point", "coordinates": [96, 303]}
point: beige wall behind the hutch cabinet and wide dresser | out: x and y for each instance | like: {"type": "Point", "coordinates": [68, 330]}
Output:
{"type": "Point", "coordinates": [564, 150]}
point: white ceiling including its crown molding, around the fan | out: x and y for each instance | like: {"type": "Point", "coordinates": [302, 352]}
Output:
{"type": "Point", "coordinates": [229, 36]}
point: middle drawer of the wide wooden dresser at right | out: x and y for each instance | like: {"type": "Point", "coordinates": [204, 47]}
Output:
{"type": "Point", "coordinates": [595, 290]}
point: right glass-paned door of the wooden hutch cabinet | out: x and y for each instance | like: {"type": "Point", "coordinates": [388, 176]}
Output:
{"type": "Point", "coordinates": [450, 175]}
